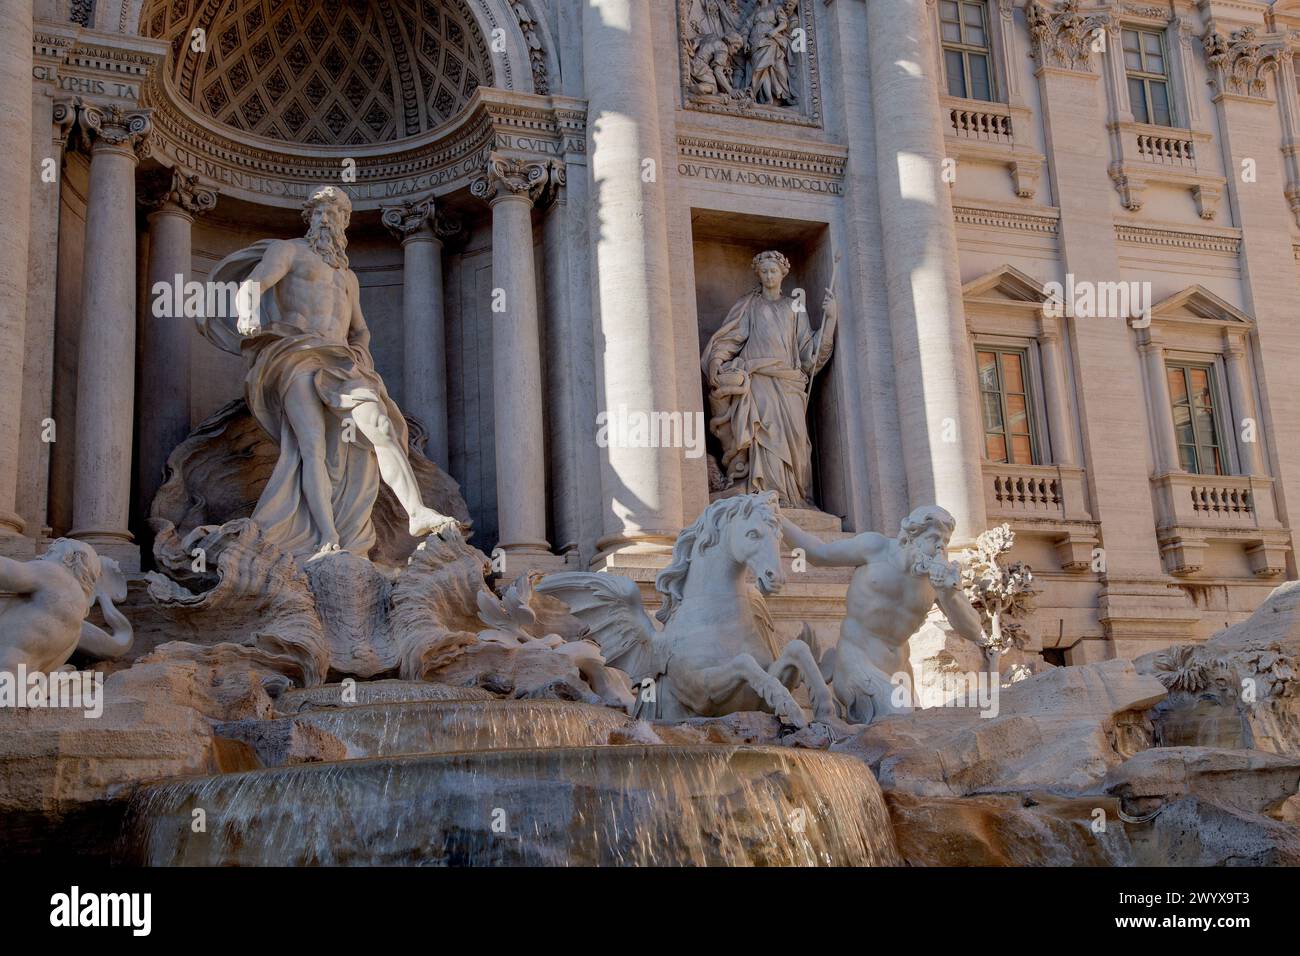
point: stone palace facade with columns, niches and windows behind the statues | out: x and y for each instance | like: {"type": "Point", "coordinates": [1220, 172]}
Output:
{"type": "Point", "coordinates": [1063, 243]}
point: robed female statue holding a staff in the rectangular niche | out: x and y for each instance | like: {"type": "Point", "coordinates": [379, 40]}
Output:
{"type": "Point", "coordinates": [760, 369]}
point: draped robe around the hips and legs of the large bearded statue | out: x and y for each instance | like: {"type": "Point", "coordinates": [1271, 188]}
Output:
{"type": "Point", "coordinates": [343, 375]}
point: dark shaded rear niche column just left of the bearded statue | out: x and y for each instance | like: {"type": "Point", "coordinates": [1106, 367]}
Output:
{"type": "Point", "coordinates": [163, 412]}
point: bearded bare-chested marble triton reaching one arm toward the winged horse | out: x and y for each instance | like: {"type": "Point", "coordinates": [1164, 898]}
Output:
{"type": "Point", "coordinates": [896, 583]}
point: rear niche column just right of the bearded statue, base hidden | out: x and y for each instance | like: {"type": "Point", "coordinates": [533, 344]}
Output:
{"type": "Point", "coordinates": [424, 365]}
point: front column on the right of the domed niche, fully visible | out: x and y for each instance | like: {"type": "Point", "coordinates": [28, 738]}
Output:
{"type": "Point", "coordinates": [510, 188]}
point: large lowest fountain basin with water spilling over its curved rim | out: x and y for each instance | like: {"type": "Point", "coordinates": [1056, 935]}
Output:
{"type": "Point", "coordinates": [701, 806]}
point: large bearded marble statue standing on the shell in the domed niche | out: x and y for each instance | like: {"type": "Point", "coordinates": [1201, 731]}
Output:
{"type": "Point", "coordinates": [313, 387]}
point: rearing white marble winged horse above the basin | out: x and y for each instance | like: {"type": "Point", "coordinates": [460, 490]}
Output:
{"type": "Point", "coordinates": [717, 654]}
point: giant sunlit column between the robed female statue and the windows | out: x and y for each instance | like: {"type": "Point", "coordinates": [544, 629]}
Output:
{"type": "Point", "coordinates": [935, 371]}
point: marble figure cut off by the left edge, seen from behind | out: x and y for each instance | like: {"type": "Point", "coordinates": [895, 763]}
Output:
{"type": "Point", "coordinates": [44, 612]}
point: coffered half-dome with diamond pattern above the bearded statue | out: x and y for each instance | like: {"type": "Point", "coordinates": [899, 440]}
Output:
{"type": "Point", "coordinates": [324, 72]}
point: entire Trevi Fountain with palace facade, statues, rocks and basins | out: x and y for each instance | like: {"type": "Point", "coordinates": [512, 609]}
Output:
{"type": "Point", "coordinates": [600, 434]}
